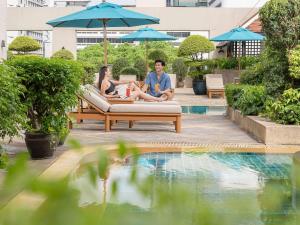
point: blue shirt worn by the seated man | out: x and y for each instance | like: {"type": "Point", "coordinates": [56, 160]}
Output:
{"type": "Point", "coordinates": [164, 83]}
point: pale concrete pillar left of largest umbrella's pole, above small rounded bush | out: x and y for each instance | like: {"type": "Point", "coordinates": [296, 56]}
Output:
{"type": "Point", "coordinates": [64, 38]}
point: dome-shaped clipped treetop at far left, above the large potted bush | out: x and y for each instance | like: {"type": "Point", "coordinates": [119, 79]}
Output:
{"type": "Point", "coordinates": [24, 44]}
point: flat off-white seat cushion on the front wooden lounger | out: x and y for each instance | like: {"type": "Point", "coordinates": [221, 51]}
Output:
{"type": "Point", "coordinates": [138, 108]}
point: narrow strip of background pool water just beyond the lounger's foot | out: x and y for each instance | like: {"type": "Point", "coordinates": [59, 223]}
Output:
{"type": "Point", "coordinates": [209, 110]}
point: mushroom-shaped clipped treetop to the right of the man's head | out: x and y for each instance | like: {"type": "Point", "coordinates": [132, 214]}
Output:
{"type": "Point", "coordinates": [194, 46]}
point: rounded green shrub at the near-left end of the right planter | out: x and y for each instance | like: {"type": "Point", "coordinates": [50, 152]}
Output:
{"type": "Point", "coordinates": [251, 100]}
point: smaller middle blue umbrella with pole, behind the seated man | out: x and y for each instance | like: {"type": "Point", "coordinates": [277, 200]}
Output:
{"type": "Point", "coordinates": [147, 34]}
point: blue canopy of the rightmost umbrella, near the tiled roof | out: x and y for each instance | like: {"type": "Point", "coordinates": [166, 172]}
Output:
{"type": "Point", "coordinates": [239, 34]}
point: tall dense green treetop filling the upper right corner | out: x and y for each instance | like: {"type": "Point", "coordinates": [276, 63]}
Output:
{"type": "Point", "coordinates": [281, 24]}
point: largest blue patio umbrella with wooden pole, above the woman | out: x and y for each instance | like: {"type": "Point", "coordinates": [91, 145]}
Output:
{"type": "Point", "coordinates": [103, 15]}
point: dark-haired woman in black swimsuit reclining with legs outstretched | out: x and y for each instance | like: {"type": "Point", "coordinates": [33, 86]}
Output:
{"type": "Point", "coordinates": [107, 87]}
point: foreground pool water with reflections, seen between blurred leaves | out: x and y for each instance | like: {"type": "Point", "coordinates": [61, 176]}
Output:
{"type": "Point", "coordinates": [217, 176]}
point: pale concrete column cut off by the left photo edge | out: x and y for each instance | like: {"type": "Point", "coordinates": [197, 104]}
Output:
{"type": "Point", "coordinates": [3, 43]}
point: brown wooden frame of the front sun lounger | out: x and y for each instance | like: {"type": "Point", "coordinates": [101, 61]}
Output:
{"type": "Point", "coordinates": [94, 113]}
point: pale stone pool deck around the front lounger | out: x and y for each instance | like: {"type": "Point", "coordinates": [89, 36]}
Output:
{"type": "Point", "coordinates": [202, 131]}
